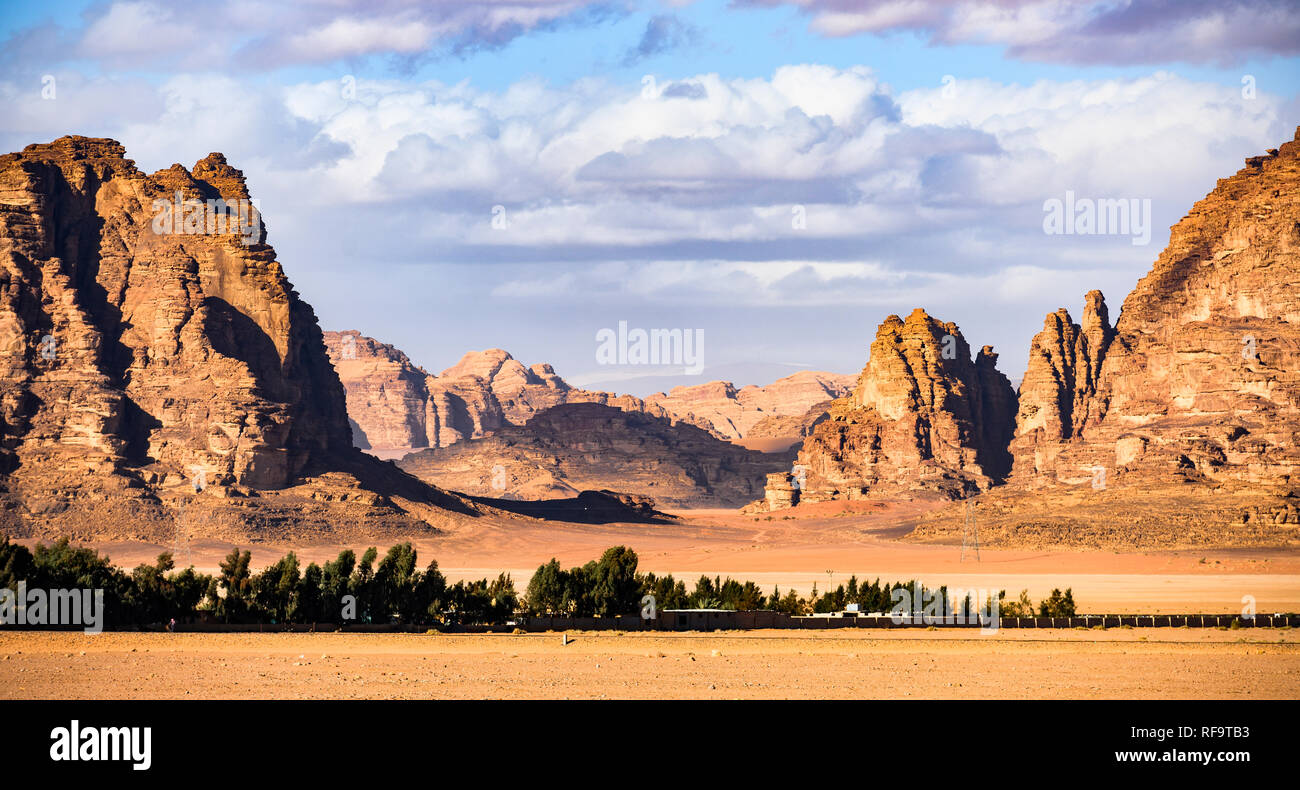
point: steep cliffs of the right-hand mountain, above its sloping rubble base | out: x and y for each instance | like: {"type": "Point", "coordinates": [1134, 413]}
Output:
{"type": "Point", "coordinates": [1201, 379]}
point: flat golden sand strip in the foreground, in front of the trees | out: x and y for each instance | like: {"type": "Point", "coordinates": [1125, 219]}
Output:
{"type": "Point", "coordinates": [857, 665]}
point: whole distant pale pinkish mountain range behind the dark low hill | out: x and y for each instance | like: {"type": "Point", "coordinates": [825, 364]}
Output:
{"type": "Point", "coordinates": [397, 407]}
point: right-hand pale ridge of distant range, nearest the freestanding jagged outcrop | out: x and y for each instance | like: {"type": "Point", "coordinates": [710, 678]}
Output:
{"type": "Point", "coordinates": [753, 411]}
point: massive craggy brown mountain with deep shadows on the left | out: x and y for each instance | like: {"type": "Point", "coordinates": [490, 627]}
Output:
{"type": "Point", "coordinates": [153, 354]}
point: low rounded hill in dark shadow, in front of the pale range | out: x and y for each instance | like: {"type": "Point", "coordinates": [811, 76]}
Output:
{"type": "Point", "coordinates": [577, 446]}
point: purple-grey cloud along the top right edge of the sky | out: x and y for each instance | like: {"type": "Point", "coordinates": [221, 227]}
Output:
{"type": "Point", "coordinates": [1077, 32]}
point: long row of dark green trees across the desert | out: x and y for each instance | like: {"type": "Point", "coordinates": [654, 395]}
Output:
{"type": "Point", "coordinates": [395, 589]}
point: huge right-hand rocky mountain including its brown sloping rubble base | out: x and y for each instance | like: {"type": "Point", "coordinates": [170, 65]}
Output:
{"type": "Point", "coordinates": [1181, 424]}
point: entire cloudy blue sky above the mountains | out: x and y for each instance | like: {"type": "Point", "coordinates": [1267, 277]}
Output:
{"type": "Point", "coordinates": [770, 177]}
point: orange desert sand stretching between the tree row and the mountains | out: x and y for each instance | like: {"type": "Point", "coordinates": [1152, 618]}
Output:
{"type": "Point", "coordinates": [798, 550]}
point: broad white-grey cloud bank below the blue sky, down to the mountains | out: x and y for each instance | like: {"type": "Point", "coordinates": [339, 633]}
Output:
{"type": "Point", "coordinates": [816, 194]}
